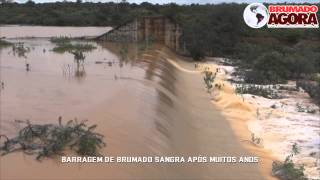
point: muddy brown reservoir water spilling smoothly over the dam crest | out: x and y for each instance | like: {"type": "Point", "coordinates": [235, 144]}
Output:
{"type": "Point", "coordinates": [143, 105]}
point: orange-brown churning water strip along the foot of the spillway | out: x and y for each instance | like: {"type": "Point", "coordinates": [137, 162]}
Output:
{"type": "Point", "coordinates": [239, 113]}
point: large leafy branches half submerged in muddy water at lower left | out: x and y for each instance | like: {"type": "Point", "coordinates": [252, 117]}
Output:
{"type": "Point", "coordinates": [49, 140]}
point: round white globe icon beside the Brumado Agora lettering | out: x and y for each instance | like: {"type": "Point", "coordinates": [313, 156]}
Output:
{"type": "Point", "coordinates": [256, 15]}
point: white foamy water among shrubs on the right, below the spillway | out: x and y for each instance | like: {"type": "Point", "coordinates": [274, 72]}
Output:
{"type": "Point", "coordinates": [285, 124]}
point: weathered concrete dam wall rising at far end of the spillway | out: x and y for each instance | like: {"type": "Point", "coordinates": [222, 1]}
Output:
{"type": "Point", "coordinates": [150, 29]}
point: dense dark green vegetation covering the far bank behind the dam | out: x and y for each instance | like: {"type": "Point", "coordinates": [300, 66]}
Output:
{"type": "Point", "coordinates": [264, 55]}
